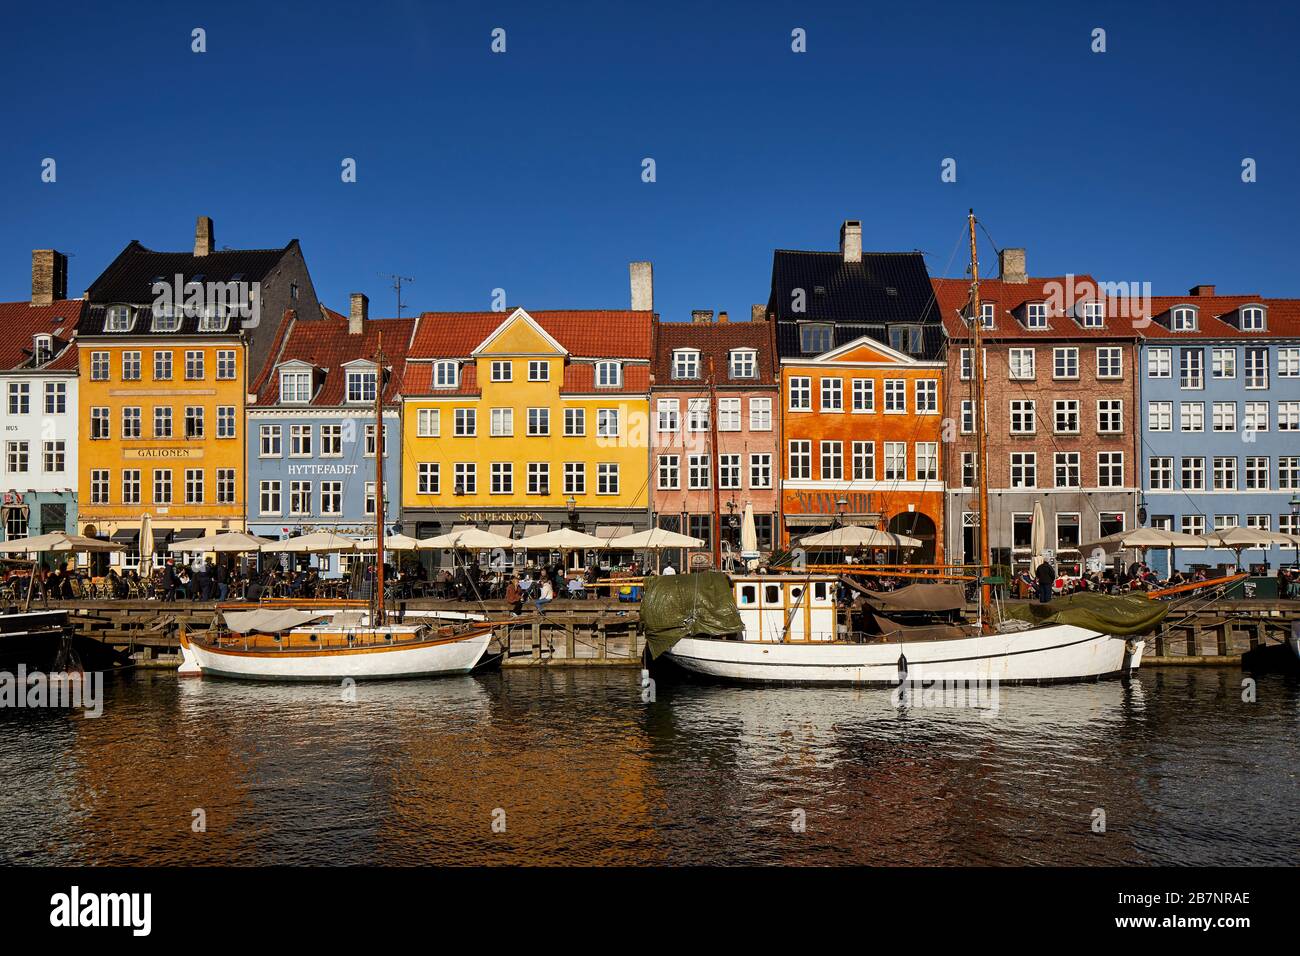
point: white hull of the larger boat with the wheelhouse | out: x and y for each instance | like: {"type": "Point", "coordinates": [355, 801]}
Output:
{"type": "Point", "coordinates": [1045, 655]}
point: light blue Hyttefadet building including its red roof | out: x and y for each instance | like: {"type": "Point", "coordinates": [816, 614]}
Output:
{"type": "Point", "coordinates": [311, 434]}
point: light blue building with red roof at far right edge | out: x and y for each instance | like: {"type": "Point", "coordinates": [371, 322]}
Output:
{"type": "Point", "coordinates": [1220, 395]}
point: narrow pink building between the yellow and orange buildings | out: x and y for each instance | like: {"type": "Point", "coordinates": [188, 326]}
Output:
{"type": "Point", "coordinates": [739, 358]}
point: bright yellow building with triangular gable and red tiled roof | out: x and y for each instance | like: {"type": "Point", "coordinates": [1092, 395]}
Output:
{"type": "Point", "coordinates": [527, 422]}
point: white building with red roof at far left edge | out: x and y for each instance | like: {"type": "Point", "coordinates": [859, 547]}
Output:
{"type": "Point", "coordinates": [38, 417]}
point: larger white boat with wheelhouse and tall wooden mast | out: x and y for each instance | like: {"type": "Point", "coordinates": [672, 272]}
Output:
{"type": "Point", "coordinates": [792, 631]}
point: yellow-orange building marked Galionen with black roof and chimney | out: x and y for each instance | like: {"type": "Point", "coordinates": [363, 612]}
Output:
{"type": "Point", "coordinates": [170, 345]}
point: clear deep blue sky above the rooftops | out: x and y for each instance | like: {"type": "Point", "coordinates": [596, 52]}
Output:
{"type": "Point", "coordinates": [523, 171]}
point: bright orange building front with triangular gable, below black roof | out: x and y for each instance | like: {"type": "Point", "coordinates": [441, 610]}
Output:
{"type": "Point", "coordinates": [863, 427]}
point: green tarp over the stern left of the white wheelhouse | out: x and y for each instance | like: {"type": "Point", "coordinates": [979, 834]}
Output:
{"type": "Point", "coordinates": [695, 605]}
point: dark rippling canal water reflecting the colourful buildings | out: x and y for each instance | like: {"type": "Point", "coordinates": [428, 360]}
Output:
{"type": "Point", "coordinates": [554, 767]}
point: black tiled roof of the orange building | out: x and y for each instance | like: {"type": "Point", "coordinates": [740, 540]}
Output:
{"type": "Point", "coordinates": [859, 299]}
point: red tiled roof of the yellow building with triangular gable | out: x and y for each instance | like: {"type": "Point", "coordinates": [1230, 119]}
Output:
{"type": "Point", "coordinates": [586, 334]}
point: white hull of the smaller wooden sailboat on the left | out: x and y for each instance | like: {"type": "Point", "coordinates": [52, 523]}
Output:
{"type": "Point", "coordinates": [440, 657]}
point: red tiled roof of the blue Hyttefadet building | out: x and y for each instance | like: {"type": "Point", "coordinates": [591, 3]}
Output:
{"type": "Point", "coordinates": [327, 345]}
